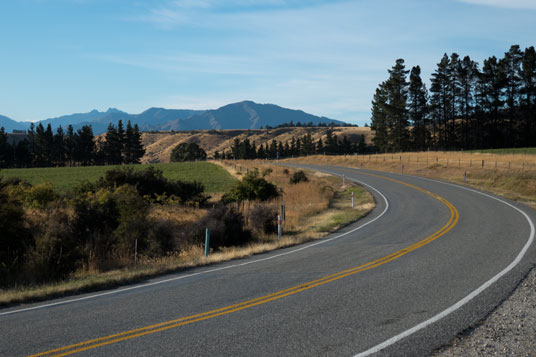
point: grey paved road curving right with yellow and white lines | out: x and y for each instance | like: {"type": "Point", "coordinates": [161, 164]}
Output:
{"type": "Point", "coordinates": [400, 282]}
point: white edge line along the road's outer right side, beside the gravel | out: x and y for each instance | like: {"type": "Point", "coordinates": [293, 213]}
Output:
{"type": "Point", "coordinates": [469, 297]}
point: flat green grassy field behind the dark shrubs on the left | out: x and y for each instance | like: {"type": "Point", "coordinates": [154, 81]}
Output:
{"type": "Point", "coordinates": [215, 178]}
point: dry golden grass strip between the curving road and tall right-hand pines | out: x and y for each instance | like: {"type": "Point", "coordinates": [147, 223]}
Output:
{"type": "Point", "coordinates": [511, 176]}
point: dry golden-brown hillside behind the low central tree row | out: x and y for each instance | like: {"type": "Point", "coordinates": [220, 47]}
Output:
{"type": "Point", "coordinates": [158, 146]}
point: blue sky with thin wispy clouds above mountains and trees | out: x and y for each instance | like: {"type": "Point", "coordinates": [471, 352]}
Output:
{"type": "Point", "coordinates": [325, 57]}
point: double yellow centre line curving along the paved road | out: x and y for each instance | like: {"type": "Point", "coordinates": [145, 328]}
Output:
{"type": "Point", "coordinates": [162, 326]}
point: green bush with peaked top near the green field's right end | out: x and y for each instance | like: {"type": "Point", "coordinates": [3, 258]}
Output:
{"type": "Point", "coordinates": [252, 187]}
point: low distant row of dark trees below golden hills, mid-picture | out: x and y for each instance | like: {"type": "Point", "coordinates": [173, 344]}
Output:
{"type": "Point", "coordinates": [301, 146]}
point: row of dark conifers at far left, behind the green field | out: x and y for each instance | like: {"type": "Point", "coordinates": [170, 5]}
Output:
{"type": "Point", "coordinates": [41, 147]}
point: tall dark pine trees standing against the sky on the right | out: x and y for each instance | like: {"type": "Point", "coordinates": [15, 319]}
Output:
{"type": "Point", "coordinates": [466, 107]}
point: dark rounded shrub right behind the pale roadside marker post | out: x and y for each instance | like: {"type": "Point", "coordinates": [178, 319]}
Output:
{"type": "Point", "coordinates": [226, 228]}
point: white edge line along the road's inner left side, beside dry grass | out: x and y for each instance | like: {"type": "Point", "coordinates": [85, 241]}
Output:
{"type": "Point", "coordinates": [216, 269]}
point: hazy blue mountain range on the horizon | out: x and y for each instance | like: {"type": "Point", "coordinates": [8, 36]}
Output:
{"type": "Point", "coordinates": [241, 115]}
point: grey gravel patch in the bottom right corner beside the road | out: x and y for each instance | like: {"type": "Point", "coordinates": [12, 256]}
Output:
{"type": "Point", "coordinates": [509, 331]}
